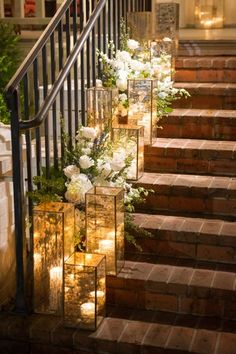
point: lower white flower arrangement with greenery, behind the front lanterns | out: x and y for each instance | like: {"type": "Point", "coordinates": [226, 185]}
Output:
{"type": "Point", "coordinates": [93, 160]}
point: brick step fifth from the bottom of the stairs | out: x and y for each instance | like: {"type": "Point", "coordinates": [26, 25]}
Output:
{"type": "Point", "coordinates": [213, 157]}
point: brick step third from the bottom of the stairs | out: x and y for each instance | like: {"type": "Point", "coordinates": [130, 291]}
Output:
{"type": "Point", "coordinates": [210, 240]}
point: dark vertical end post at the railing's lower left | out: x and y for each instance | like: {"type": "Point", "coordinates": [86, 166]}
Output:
{"type": "Point", "coordinates": [19, 202]}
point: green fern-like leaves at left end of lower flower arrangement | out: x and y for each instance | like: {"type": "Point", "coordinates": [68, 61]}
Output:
{"type": "Point", "coordinates": [48, 188]}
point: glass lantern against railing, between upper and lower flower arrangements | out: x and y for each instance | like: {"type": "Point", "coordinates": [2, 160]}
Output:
{"type": "Point", "coordinates": [101, 105]}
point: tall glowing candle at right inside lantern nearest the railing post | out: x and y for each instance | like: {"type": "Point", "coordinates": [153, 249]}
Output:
{"type": "Point", "coordinates": [55, 288]}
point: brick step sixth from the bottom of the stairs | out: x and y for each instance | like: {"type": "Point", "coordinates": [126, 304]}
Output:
{"type": "Point", "coordinates": [199, 124]}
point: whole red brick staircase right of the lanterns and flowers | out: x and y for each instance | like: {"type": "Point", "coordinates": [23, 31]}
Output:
{"type": "Point", "coordinates": [179, 294]}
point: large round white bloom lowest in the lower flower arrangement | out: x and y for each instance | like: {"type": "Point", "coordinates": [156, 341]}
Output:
{"type": "Point", "coordinates": [77, 188]}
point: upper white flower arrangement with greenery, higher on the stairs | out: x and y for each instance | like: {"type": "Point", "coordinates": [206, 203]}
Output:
{"type": "Point", "coordinates": [139, 61]}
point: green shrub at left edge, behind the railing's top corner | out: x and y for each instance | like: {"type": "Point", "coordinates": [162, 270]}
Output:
{"type": "Point", "coordinates": [9, 61]}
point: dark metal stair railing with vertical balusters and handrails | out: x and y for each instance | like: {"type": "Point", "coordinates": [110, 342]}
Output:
{"type": "Point", "coordinates": [51, 83]}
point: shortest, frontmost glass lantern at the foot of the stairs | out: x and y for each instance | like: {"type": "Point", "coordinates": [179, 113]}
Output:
{"type": "Point", "coordinates": [84, 290]}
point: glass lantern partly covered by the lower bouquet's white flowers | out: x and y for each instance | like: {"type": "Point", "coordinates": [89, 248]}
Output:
{"type": "Point", "coordinates": [129, 142]}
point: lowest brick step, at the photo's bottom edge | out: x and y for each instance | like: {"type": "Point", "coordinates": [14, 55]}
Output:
{"type": "Point", "coordinates": [46, 334]}
